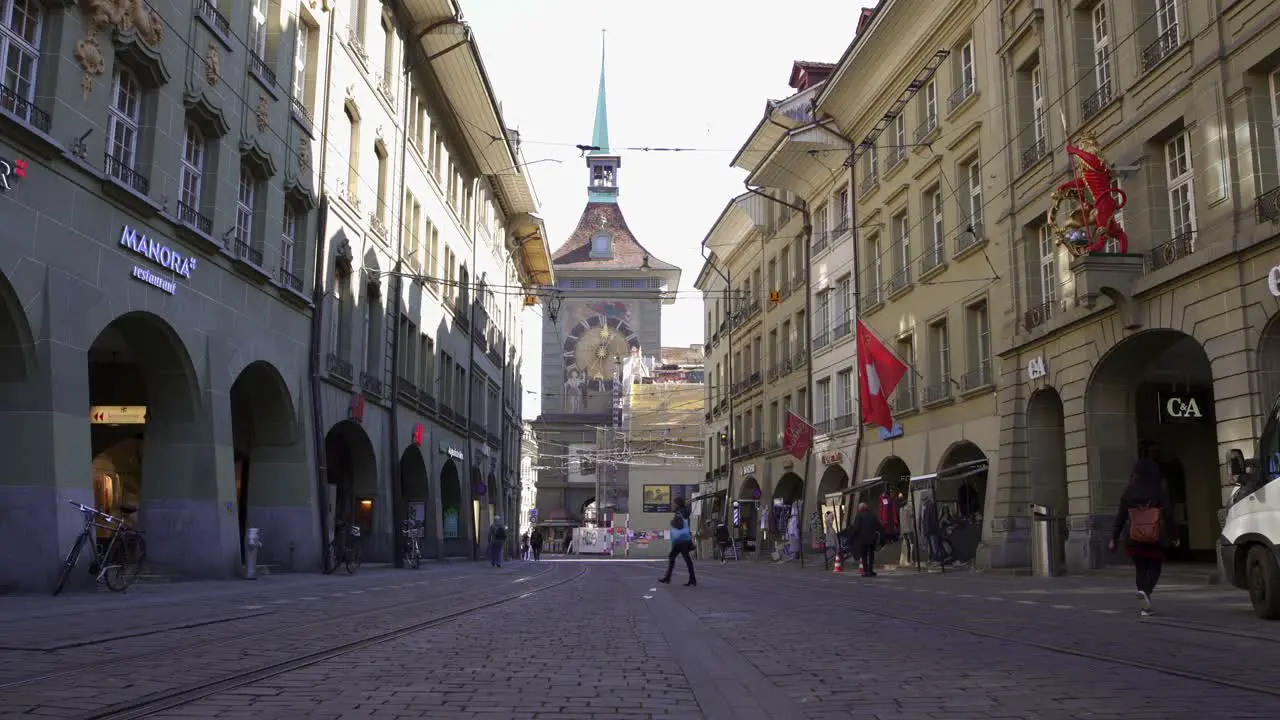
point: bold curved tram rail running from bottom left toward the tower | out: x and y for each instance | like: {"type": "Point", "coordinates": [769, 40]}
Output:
{"type": "Point", "coordinates": [170, 700]}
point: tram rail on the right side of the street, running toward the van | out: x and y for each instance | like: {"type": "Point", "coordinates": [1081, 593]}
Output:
{"type": "Point", "coordinates": [852, 605]}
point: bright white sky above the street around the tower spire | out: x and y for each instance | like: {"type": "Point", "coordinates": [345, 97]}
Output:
{"type": "Point", "coordinates": [692, 74]}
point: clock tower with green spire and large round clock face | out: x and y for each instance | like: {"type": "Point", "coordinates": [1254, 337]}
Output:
{"type": "Point", "coordinates": [611, 291]}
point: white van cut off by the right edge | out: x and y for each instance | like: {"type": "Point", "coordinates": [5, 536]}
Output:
{"type": "Point", "coordinates": [1250, 548]}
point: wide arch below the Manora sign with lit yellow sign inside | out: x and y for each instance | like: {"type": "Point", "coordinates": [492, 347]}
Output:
{"type": "Point", "coordinates": [152, 446]}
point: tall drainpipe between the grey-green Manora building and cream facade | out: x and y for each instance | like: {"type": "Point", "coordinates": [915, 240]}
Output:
{"type": "Point", "coordinates": [318, 321]}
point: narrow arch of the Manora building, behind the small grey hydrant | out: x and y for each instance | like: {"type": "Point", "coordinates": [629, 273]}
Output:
{"type": "Point", "coordinates": [273, 485]}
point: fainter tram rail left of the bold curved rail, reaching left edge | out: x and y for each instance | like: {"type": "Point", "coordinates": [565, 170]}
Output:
{"type": "Point", "coordinates": [232, 640]}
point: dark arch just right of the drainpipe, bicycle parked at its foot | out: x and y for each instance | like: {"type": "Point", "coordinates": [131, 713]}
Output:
{"type": "Point", "coordinates": [353, 484]}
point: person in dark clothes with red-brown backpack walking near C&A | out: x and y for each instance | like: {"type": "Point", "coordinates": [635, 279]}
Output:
{"type": "Point", "coordinates": [1145, 508]}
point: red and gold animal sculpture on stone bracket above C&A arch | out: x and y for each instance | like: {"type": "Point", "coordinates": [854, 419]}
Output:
{"type": "Point", "coordinates": [1094, 222]}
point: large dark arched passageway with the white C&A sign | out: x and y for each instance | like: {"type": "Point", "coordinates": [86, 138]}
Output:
{"type": "Point", "coordinates": [1153, 397]}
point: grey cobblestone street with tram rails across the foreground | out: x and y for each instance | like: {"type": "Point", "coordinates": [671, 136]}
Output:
{"type": "Point", "coordinates": [604, 640]}
